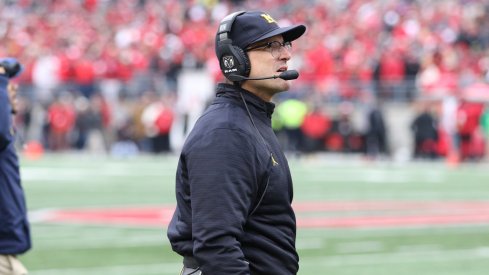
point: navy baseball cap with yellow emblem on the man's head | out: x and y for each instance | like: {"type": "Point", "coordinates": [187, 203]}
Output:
{"type": "Point", "coordinates": [254, 26]}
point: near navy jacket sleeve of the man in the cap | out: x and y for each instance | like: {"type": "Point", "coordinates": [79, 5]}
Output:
{"type": "Point", "coordinates": [223, 179]}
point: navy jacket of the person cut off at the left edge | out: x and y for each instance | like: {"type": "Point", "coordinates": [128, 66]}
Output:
{"type": "Point", "coordinates": [14, 228]}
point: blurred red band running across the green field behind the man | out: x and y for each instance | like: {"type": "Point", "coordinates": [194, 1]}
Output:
{"type": "Point", "coordinates": [321, 214]}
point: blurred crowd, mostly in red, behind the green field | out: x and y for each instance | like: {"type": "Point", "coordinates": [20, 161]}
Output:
{"type": "Point", "coordinates": [104, 73]}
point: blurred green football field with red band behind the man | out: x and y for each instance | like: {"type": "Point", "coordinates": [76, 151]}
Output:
{"type": "Point", "coordinates": [100, 215]}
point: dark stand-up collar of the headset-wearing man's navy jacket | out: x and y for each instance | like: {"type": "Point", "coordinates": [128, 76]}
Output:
{"type": "Point", "coordinates": [233, 91]}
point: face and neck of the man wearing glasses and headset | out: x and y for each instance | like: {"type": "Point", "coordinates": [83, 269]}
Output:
{"type": "Point", "coordinates": [268, 61]}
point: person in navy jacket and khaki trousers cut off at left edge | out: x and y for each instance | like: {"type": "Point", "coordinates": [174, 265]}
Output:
{"type": "Point", "coordinates": [14, 228]}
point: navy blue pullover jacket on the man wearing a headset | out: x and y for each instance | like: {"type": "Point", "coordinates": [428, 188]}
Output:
{"type": "Point", "coordinates": [225, 167]}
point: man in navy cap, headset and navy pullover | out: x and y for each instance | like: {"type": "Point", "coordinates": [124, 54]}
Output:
{"type": "Point", "coordinates": [233, 184]}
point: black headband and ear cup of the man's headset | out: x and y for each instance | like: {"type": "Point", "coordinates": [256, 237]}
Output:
{"type": "Point", "coordinates": [234, 61]}
